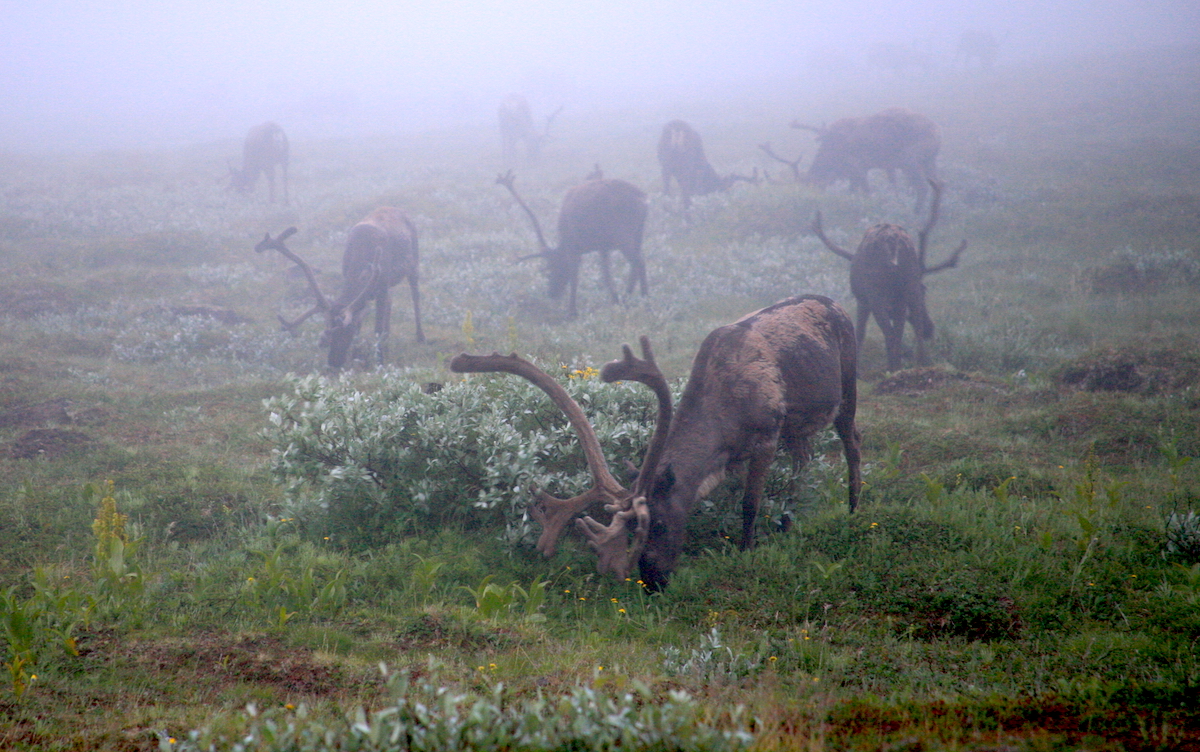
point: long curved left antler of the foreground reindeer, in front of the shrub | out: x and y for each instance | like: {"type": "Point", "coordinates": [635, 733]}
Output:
{"type": "Point", "coordinates": [553, 513]}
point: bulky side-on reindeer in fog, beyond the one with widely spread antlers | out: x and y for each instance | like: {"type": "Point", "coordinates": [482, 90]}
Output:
{"type": "Point", "coordinates": [895, 140]}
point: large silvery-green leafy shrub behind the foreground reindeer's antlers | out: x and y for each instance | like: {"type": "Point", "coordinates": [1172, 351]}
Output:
{"type": "Point", "coordinates": [365, 467]}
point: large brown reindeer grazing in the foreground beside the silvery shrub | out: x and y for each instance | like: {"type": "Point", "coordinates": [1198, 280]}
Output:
{"type": "Point", "coordinates": [776, 377]}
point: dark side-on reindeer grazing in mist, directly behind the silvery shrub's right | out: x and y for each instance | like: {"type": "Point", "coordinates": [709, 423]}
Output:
{"type": "Point", "coordinates": [599, 216]}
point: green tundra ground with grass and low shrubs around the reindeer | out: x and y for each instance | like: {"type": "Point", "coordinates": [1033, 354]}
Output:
{"type": "Point", "coordinates": [202, 551]}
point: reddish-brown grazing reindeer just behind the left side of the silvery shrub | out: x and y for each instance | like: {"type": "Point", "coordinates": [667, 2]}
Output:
{"type": "Point", "coordinates": [381, 252]}
